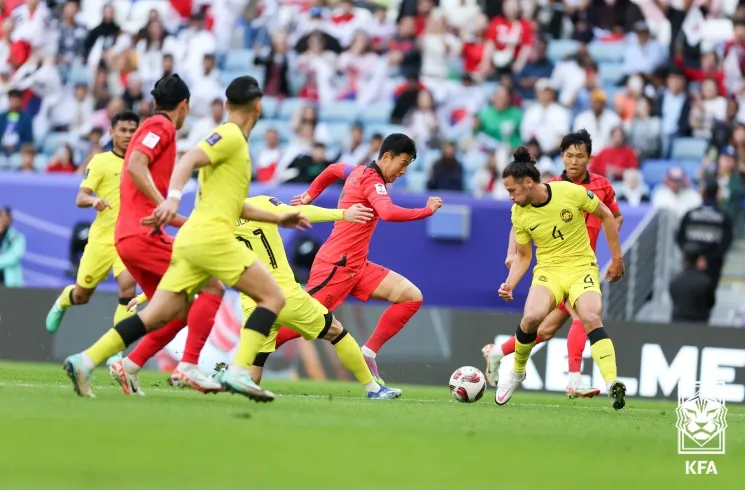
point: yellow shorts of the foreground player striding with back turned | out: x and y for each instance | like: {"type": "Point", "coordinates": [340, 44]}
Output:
{"type": "Point", "coordinates": [194, 262]}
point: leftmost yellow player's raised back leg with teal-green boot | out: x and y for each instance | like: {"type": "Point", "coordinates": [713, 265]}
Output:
{"type": "Point", "coordinates": [94, 267]}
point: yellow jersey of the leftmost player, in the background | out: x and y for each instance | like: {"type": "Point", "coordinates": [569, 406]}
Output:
{"type": "Point", "coordinates": [103, 176]}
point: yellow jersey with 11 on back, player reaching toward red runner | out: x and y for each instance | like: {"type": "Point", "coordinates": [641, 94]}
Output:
{"type": "Point", "coordinates": [265, 241]}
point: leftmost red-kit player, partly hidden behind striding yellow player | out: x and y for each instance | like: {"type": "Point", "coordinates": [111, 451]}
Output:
{"type": "Point", "coordinates": [149, 162]}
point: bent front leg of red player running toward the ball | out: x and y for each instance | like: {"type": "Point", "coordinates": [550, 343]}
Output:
{"type": "Point", "coordinates": [380, 283]}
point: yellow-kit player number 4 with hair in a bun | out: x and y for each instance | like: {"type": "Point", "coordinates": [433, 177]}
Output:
{"type": "Point", "coordinates": [552, 217]}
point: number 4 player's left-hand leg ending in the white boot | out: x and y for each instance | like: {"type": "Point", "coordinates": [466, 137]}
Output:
{"type": "Point", "coordinates": [545, 293]}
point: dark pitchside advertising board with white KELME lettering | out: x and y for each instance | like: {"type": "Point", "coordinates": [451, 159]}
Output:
{"type": "Point", "coordinates": [654, 360]}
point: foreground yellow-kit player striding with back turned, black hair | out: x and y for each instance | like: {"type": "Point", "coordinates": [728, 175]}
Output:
{"type": "Point", "coordinates": [205, 247]}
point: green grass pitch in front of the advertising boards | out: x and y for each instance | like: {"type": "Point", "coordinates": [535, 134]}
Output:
{"type": "Point", "coordinates": [327, 436]}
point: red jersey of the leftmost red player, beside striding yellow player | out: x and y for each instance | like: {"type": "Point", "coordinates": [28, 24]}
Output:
{"type": "Point", "coordinates": [156, 139]}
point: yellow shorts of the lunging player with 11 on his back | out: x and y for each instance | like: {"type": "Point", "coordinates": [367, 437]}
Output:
{"type": "Point", "coordinates": [302, 313]}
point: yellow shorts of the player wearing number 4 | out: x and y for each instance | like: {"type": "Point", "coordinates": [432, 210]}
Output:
{"type": "Point", "coordinates": [568, 283]}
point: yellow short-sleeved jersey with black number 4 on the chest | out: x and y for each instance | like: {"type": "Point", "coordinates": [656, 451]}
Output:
{"type": "Point", "coordinates": [557, 227]}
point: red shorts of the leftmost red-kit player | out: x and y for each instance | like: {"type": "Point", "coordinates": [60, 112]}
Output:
{"type": "Point", "coordinates": [147, 258]}
